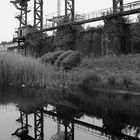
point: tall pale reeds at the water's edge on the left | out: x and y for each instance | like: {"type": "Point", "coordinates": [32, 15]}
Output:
{"type": "Point", "coordinates": [16, 69]}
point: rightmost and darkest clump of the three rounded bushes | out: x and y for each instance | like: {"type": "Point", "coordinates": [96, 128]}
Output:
{"type": "Point", "coordinates": [71, 60]}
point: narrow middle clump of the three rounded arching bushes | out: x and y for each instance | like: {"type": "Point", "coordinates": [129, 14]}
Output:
{"type": "Point", "coordinates": [62, 57]}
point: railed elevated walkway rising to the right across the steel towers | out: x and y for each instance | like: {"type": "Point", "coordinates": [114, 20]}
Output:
{"type": "Point", "coordinates": [127, 9]}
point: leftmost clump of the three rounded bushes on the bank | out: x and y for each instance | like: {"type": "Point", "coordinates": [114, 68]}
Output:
{"type": "Point", "coordinates": [50, 57]}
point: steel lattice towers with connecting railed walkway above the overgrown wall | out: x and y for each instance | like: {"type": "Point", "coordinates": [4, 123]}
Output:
{"type": "Point", "coordinates": [69, 17]}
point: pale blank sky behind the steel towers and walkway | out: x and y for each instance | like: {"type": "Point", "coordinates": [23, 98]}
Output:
{"type": "Point", "coordinates": [8, 23]}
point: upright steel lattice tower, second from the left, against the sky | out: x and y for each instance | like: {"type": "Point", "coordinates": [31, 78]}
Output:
{"type": "Point", "coordinates": [38, 14]}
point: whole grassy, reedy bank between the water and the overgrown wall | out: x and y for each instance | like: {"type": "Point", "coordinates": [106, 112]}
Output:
{"type": "Point", "coordinates": [108, 72]}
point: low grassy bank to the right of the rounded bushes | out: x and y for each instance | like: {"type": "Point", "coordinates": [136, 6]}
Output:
{"type": "Point", "coordinates": [109, 72]}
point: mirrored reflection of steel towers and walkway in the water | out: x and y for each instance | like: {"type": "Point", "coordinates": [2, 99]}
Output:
{"type": "Point", "coordinates": [69, 124]}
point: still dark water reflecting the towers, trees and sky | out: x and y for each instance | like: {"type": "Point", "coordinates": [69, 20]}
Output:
{"type": "Point", "coordinates": [33, 114]}
